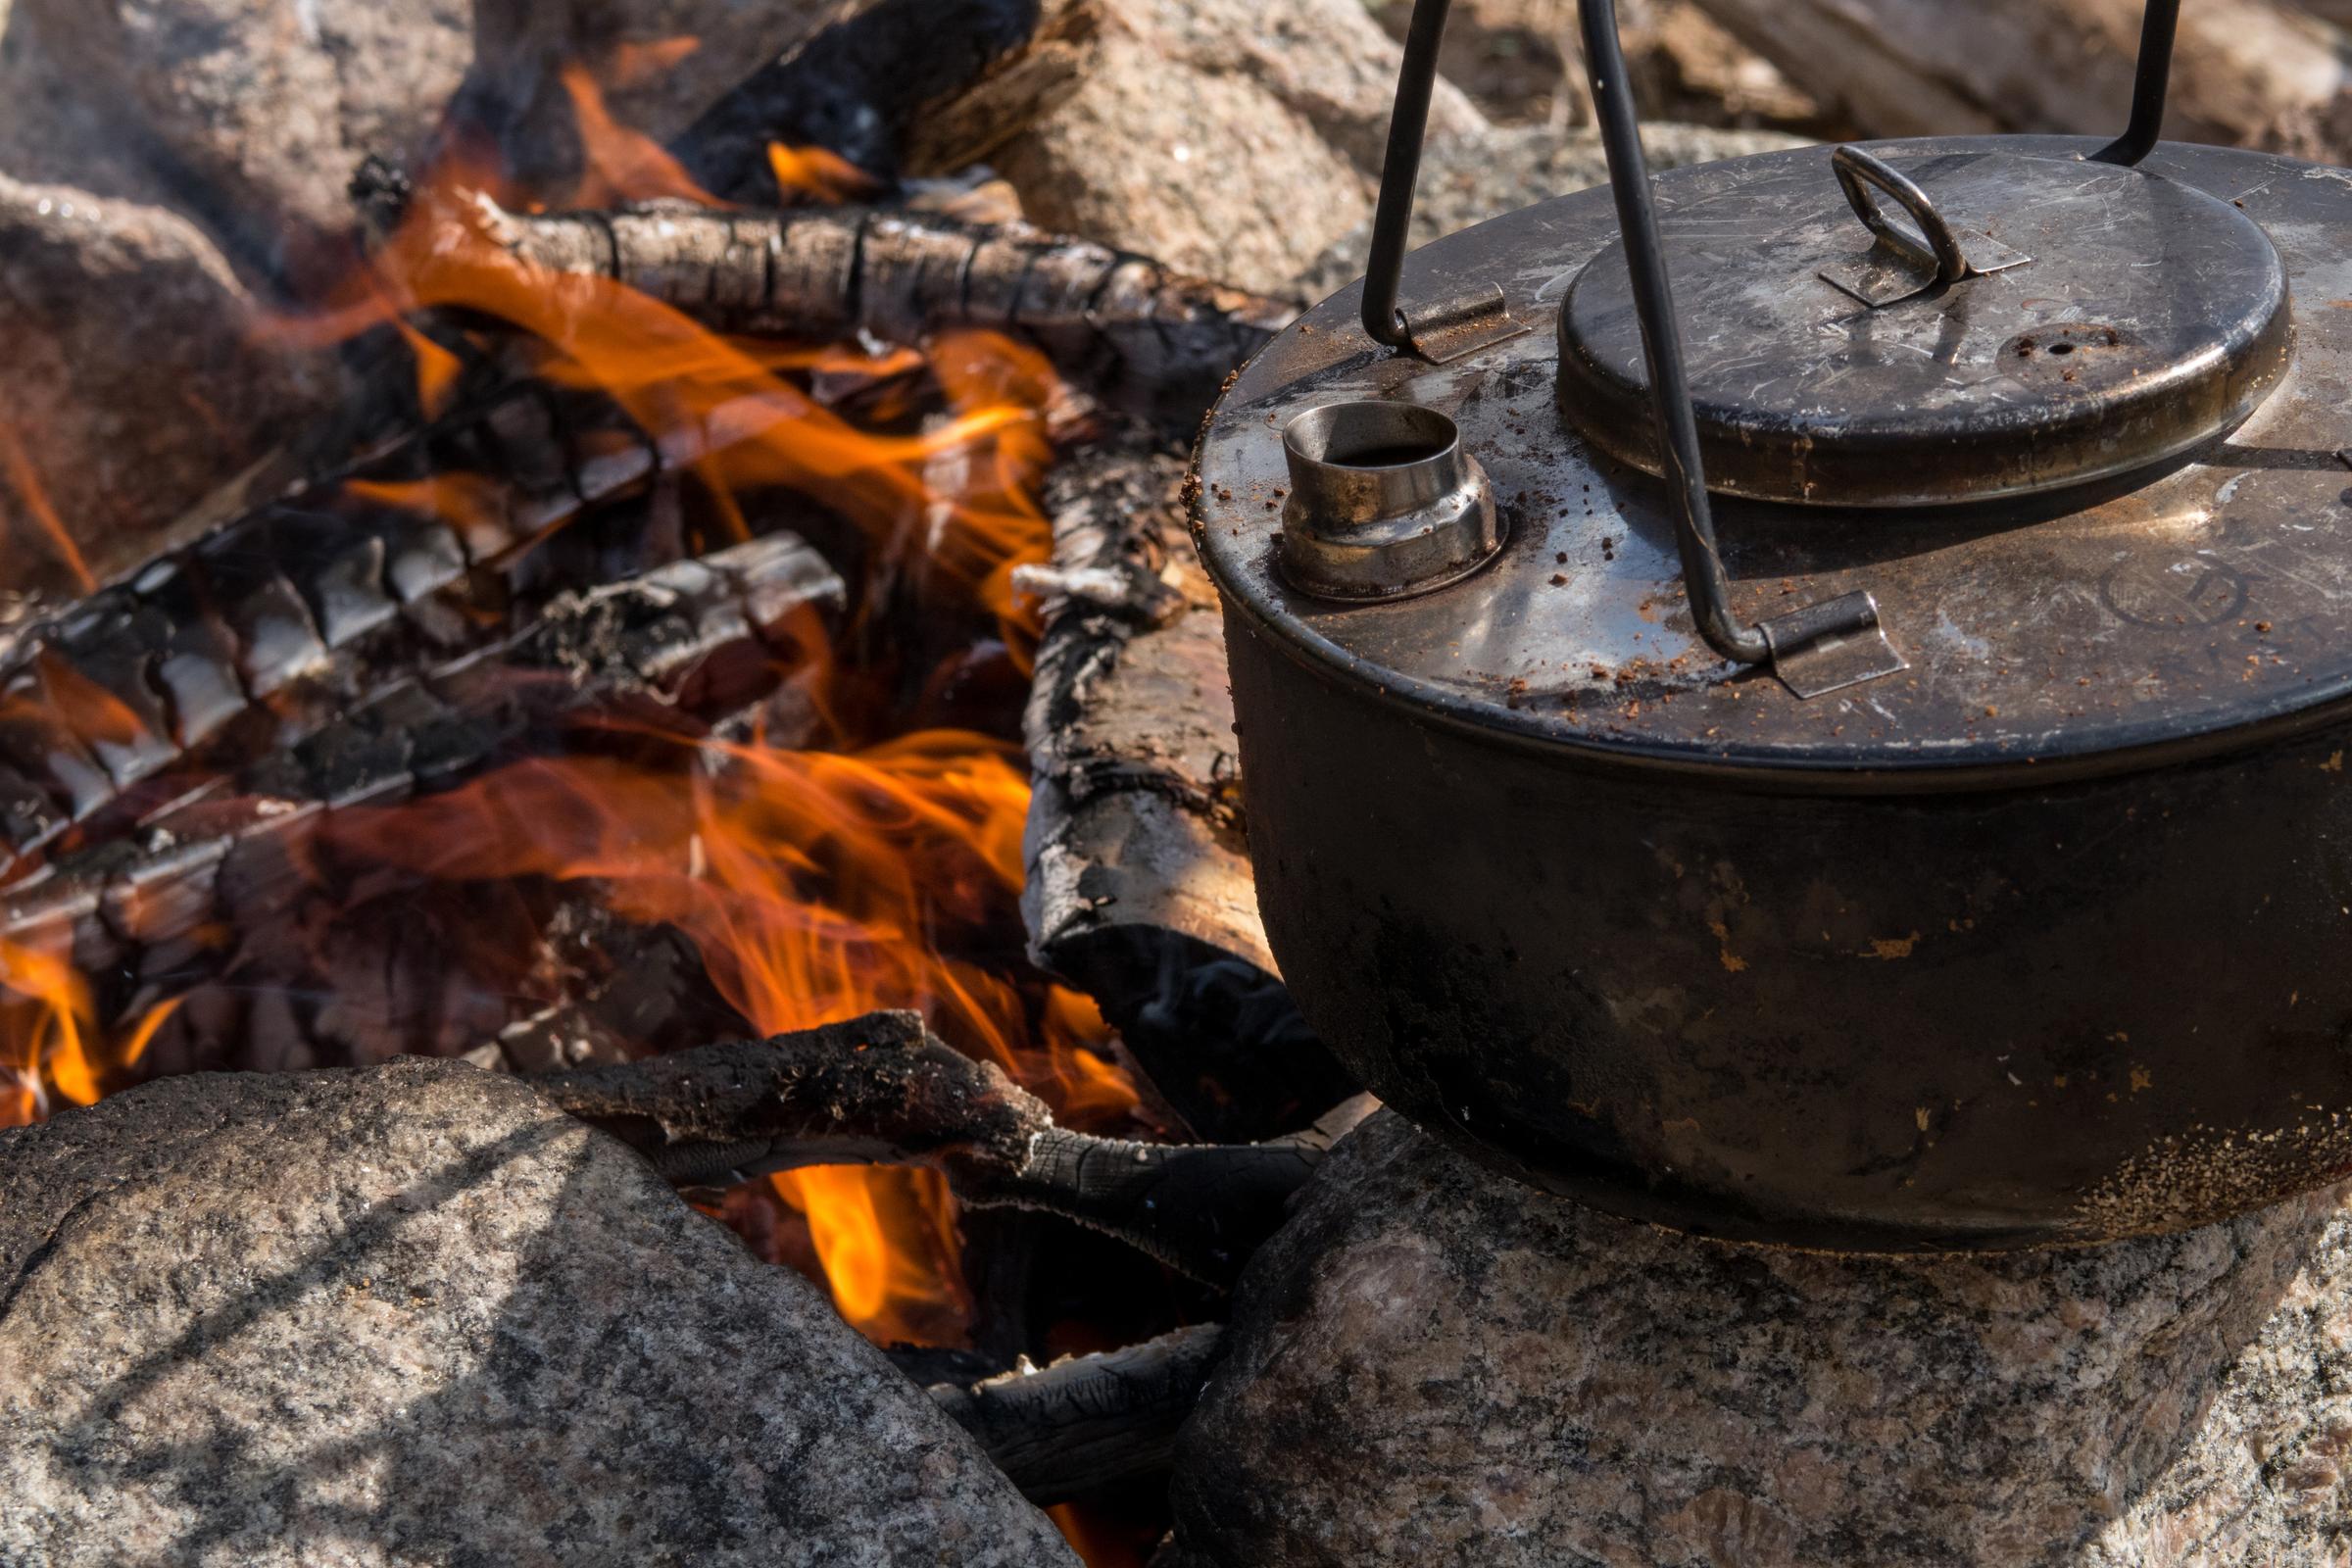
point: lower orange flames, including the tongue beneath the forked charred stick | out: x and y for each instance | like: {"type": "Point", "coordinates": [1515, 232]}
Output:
{"type": "Point", "coordinates": [817, 887]}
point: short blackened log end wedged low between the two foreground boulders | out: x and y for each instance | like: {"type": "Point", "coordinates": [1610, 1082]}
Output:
{"type": "Point", "coordinates": [1088, 1421]}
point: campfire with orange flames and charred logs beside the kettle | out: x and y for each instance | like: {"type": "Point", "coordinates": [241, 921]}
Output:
{"type": "Point", "coordinates": [653, 685]}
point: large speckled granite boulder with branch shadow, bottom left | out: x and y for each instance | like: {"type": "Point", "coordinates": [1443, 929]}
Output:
{"type": "Point", "coordinates": [415, 1315]}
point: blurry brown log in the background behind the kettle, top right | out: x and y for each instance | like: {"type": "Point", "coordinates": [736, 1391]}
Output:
{"type": "Point", "coordinates": [2247, 72]}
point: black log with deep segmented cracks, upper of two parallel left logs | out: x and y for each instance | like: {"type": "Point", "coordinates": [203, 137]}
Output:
{"type": "Point", "coordinates": [286, 617]}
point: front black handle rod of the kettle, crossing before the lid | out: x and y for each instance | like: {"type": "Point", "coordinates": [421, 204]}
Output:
{"type": "Point", "coordinates": [1662, 340]}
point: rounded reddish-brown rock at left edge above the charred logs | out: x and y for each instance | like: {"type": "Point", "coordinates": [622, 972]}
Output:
{"type": "Point", "coordinates": [86, 398]}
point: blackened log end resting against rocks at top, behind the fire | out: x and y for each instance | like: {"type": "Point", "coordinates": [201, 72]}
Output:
{"type": "Point", "coordinates": [897, 88]}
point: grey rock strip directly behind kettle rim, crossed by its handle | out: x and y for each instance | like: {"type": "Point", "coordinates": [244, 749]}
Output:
{"type": "Point", "coordinates": [1469, 180]}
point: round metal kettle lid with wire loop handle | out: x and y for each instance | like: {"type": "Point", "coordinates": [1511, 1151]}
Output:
{"type": "Point", "coordinates": [2019, 326]}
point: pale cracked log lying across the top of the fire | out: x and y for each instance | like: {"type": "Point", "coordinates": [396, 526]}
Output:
{"type": "Point", "coordinates": [1144, 335]}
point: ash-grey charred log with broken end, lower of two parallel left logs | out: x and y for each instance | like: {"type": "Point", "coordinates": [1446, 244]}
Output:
{"type": "Point", "coordinates": [664, 650]}
